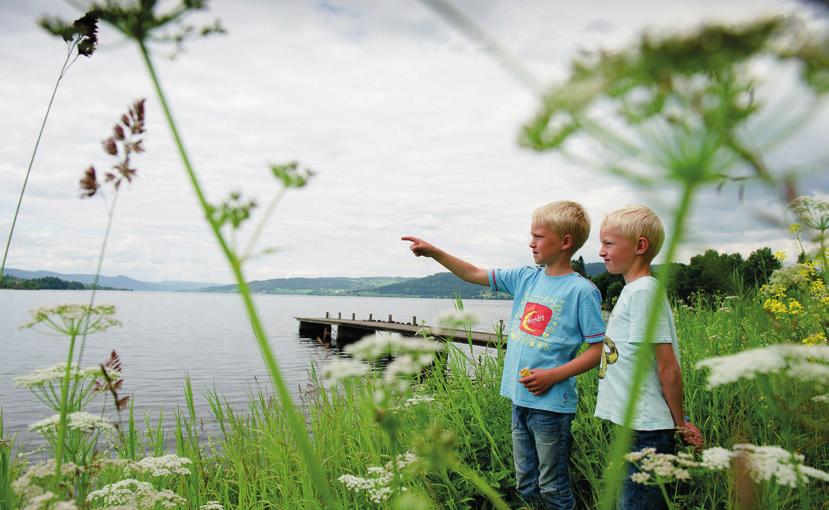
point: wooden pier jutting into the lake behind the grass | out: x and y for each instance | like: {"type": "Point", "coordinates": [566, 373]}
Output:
{"type": "Point", "coordinates": [353, 329]}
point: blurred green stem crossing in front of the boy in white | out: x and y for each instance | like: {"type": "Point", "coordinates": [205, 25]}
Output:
{"type": "Point", "coordinates": [642, 363]}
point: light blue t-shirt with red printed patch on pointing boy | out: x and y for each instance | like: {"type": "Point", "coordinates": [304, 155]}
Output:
{"type": "Point", "coordinates": [551, 317]}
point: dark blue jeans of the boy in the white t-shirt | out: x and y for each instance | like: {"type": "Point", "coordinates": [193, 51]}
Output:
{"type": "Point", "coordinates": [637, 496]}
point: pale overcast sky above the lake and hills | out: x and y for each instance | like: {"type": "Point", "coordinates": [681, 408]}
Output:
{"type": "Point", "coordinates": [410, 128]}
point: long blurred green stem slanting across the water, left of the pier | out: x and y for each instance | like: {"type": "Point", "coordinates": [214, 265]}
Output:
{"type": "Point", "coordinates": [295, 419]}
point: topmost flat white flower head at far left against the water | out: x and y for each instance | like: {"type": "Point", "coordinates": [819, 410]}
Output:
{"type": "Point", "coordinates": [73, 319]}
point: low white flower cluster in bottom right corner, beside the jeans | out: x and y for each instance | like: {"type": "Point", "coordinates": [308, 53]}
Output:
{"type": "Point", "coordinates": [765, 463]}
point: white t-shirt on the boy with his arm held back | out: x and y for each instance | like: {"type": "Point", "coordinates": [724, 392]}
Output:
{"type": "Point", "coordinates": [625, 332]}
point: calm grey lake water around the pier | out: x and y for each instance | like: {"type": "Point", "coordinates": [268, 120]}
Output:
{"type": "Point", "coordinates": [166, 336]}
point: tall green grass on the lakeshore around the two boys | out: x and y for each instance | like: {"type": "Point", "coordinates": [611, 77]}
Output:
{"type": "Point", "coordinates": [253, 462]}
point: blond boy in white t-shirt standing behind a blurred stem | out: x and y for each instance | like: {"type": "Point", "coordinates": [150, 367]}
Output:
{"type": "Point", "coordinates": [630, 239]}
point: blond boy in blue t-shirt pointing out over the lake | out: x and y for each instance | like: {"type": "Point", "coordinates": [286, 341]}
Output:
{"type": "Point", "coordinates": [554, 312]}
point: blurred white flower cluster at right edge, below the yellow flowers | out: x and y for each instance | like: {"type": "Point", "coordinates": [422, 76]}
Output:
{"type": "Point", "coordinates": [804, 362]}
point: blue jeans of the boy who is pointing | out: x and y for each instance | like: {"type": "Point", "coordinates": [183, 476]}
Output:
{"type": "Point", "coordinates": [541, 444]}
